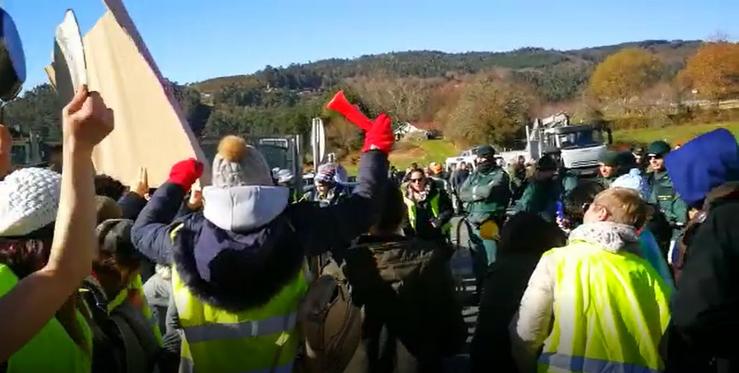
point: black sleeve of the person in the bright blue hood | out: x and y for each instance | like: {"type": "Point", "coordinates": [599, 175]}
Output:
{"type": "Point", "coordinates": [707, 302]}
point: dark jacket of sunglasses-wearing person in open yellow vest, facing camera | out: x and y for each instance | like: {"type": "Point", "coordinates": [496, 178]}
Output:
{"type": "Point", "coordinates": [422, 225]}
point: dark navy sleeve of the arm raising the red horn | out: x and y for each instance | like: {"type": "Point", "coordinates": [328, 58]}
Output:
{"type": "Point", "coordinates": [321, 229]}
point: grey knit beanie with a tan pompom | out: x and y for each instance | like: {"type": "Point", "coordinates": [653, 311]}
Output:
{"type": "Point", "coordinates": [239, 164]}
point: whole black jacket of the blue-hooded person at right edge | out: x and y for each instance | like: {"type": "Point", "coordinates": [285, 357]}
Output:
{"type": "Point", "coordinates": [703, 333]}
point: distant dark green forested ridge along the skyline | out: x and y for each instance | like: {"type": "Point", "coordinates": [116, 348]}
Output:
{"type": "Point", "coordinates": [534, 64]}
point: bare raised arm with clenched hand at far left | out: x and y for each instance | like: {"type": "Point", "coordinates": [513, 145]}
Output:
{"type": "Point", "coordinates": [35, 299]}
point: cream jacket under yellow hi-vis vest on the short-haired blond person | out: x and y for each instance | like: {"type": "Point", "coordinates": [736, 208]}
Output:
{"type": "Point", "coordinates": [608, 308]}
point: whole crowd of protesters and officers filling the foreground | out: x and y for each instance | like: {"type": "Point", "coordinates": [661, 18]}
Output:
{"type": "Point", "coordinates": [629, 271]}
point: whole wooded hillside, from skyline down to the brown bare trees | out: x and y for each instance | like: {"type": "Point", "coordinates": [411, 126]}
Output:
{"type": "Point", "coordinates": [456, 92]}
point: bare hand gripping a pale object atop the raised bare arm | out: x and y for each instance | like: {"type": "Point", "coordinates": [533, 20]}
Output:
{"type": "Point", "coordinates": [86, 120]}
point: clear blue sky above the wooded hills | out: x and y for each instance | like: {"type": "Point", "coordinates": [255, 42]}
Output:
{"type": "Point", "coordinates": [195, 40]}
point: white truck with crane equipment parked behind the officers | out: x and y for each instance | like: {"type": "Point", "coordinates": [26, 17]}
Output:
{"type": "Point", "coordinates": [579, 146]}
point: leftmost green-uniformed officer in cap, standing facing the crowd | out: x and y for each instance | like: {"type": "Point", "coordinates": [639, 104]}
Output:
{"type": "Point", "coordinates": [486, 194]}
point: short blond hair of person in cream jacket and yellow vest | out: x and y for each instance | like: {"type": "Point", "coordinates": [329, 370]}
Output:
{"type": "Point", "coordinates": [624, 206]}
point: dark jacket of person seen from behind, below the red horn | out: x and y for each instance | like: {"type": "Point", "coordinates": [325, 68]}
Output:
{"type": "Point", "coordinates": [412, 319]}
